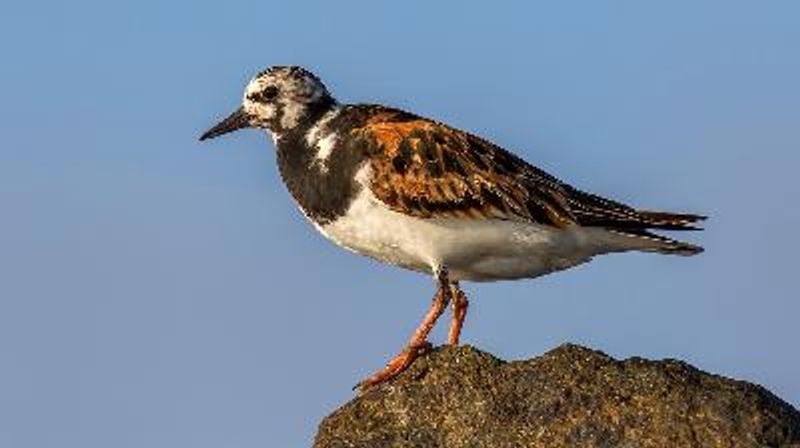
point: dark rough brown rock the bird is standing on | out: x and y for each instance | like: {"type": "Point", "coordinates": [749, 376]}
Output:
{"type": "Point", "coordinates": [570, 397]}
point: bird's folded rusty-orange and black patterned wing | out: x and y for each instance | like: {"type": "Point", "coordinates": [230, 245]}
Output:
{"type": "Point", "coordinates": [429, 170]}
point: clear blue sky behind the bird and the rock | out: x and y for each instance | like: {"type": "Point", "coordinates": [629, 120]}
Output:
{"type": "Point", "coordinates": [158, 292]}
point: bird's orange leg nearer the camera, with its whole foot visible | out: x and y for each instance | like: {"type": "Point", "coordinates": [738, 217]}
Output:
{"type": "Point", "coordinates": [418, 344]}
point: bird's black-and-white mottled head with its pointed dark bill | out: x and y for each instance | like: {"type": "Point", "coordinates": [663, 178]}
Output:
{"type": "Point", "coordinates": [278, 99]}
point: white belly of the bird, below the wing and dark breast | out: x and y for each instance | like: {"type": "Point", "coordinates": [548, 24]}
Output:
{"type": "Point", "coordinates": [478, 250]}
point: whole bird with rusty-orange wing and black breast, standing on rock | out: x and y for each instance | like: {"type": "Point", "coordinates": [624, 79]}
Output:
{"type": "Point", "coordinates": [417, 193]}
